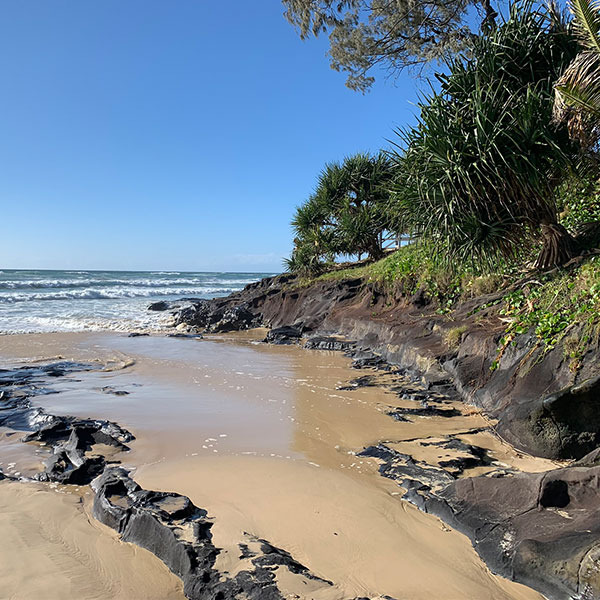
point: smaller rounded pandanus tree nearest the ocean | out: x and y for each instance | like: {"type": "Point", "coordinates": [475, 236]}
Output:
{"type": "Point", "coordinates": [346, 215]}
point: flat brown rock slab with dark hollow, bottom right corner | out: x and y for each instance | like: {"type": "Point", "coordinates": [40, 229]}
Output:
{"type": "Point", "coordinates": [540, 529]}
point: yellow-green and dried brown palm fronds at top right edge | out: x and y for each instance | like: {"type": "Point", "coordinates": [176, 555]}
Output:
{"type": "Point", "coordinates": [577, 101]}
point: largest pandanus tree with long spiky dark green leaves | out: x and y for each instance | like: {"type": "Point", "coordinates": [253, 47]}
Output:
{"type": "Point", "coordinates": [480, 169]}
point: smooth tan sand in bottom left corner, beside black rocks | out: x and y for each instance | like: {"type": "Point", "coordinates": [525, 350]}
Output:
{"type": "Point", "coordinates": [52, 548]}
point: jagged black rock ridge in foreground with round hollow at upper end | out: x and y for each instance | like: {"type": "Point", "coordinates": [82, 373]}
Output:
{"type": "Point", "coordinates": [179, 533]}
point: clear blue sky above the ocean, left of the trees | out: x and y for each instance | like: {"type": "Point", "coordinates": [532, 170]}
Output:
{"type": "Point", "coordinates": [143, 134]}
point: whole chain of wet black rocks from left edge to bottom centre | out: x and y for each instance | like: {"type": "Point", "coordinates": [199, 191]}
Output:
{"type": "Point", "coordinates": [167, 524]}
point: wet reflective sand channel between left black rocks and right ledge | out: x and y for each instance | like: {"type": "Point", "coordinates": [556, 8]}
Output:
{"type": "Point", "coordinates": [261, 437]}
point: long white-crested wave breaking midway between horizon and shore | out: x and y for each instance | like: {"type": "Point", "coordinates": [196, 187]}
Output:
{"type": "Point", "coordinates": [112, 294]}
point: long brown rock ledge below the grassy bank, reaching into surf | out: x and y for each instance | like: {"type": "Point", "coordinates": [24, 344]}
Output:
{"type": "Point", "coordinates": [524, 393]}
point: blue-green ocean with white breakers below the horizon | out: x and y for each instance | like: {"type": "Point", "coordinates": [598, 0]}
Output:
{"type": "Point", "coordinates": [54, 301]}
